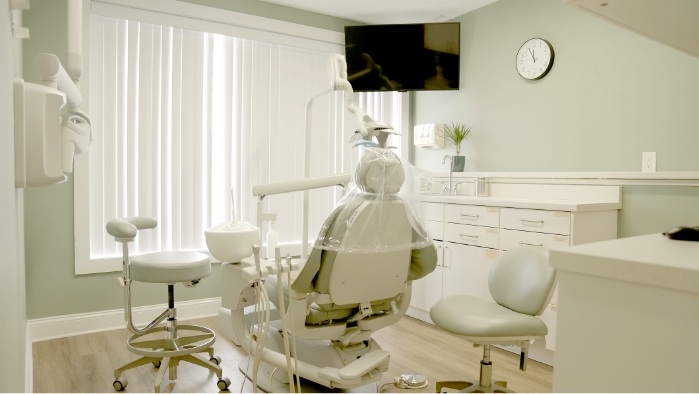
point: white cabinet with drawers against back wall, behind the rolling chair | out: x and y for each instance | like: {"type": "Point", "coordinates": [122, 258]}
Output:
{"type": "Point", "coordinates": [471, 232]}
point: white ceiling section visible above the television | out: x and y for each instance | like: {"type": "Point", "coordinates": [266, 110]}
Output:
{"type": "Point", "coordinates": [388, 11]}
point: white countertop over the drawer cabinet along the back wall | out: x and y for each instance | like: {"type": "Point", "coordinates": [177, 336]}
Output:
{"type": "Point", "coordinates": [558, 205]}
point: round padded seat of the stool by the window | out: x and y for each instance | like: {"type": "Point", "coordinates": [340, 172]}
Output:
{"type": "Point", "coordinates": [170, 267]}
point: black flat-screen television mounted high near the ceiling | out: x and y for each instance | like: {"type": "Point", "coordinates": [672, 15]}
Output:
{"type": "Point", "coordinates": [402, 57]}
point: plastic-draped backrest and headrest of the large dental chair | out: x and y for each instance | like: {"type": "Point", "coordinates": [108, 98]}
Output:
{"type": "Point", "coordinates": [365, 248]}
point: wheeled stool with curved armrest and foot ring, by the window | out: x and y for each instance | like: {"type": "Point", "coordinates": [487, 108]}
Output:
{"type": "Point", "coordinates": [163, 351]}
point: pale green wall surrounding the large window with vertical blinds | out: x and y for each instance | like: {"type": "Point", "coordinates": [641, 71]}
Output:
{"type": "Point", "coordinates": [52, 288]}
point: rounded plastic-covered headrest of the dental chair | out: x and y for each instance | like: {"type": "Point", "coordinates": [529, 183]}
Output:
{"type": "Point", "coordinates": [379, 171]}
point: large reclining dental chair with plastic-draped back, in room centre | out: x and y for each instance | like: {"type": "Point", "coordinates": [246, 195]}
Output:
{"type": "Point", "coordinates": [356, 280]}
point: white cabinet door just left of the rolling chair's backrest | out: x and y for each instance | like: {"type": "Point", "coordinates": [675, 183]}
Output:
{"type": "Point", "coordinates": [467, 269]}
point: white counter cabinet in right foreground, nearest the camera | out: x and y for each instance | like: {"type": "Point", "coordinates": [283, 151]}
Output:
{"type": "Point", "coordinates": [628, 317]}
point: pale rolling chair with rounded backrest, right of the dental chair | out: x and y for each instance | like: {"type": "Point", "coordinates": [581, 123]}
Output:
{"type": "Point", "coordinates": [521, 283]}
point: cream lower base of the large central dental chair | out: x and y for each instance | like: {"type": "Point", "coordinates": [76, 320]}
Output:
{"type": "Point", "coordinates": [330, 364]}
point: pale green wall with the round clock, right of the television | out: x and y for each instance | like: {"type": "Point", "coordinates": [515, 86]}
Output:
{"type": "Point", "coordinates": [611, 95]}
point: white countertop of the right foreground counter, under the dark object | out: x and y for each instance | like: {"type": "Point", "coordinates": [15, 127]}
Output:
{"type": "Point", "coordinates": [650, 259]}
